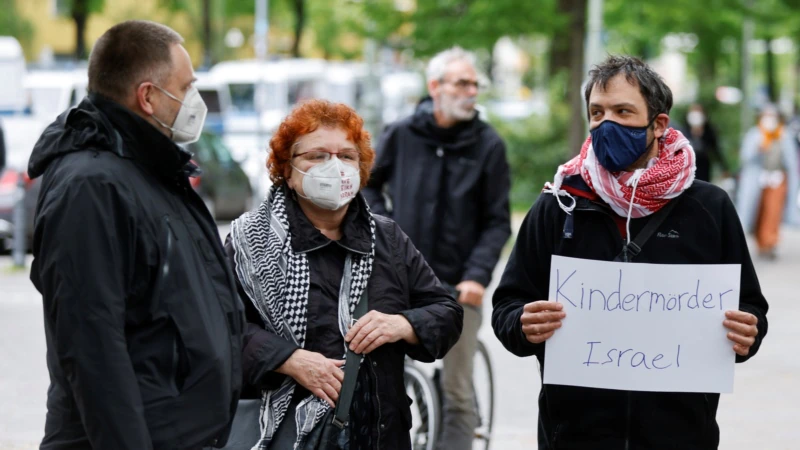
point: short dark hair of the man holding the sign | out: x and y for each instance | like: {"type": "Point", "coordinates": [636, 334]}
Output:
{"type": "Point", "coordinates": [655, 91]}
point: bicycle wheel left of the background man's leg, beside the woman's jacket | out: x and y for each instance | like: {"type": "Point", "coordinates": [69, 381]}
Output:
{"type": "Point", "coordinates": [425, 409]}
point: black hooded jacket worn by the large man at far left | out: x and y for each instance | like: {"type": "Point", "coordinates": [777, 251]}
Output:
{"type": "Point", "coordinates": [142, 319]}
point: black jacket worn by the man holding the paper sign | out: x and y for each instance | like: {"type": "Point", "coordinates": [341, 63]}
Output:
{"type": "Point", "coordinates": [708, 232]}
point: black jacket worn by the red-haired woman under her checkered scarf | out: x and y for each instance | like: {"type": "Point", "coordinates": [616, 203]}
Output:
{"type": "Point", "coordinates": [401, 283]}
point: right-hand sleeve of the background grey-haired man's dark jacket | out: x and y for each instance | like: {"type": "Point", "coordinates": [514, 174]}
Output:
{"type": "Point", "coordinates": [496, 220]}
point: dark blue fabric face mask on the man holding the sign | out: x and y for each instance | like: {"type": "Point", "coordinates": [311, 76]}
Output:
{"type": "Point", "coordinates": [617, 146]}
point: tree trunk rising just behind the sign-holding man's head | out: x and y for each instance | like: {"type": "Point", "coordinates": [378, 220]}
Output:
{"type": "Point", "coordinates": [577, 36]}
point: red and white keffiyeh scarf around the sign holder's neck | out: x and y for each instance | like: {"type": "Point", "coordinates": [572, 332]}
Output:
{"type": "Point", "coordinates": [633, 194]}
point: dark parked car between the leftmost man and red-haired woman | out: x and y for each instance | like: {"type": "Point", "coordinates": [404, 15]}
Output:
{"type": "Point", "coordinates": [223, 185]}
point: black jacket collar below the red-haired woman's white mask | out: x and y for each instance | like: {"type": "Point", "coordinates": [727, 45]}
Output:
{"type": "Point", "coordinates": [356, 233]}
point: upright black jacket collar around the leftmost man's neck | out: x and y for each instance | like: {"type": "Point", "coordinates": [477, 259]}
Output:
{"type": "Point", "coordinates": [142, 141]}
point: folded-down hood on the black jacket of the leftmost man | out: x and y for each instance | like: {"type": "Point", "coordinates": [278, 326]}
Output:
{"type": "Point", "coordinates": [77, 129]}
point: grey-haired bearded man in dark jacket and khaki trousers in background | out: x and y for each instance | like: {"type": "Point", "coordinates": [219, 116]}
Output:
{"type": "Point", "coordinates": [446, 176]}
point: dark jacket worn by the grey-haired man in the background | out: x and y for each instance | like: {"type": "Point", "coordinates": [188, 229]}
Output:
{"type": "Point", "coordinates": [448, 190]}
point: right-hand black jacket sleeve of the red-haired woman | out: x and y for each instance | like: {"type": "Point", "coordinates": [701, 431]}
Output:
{"type": "Point", "coordinates": [433, 314]}
